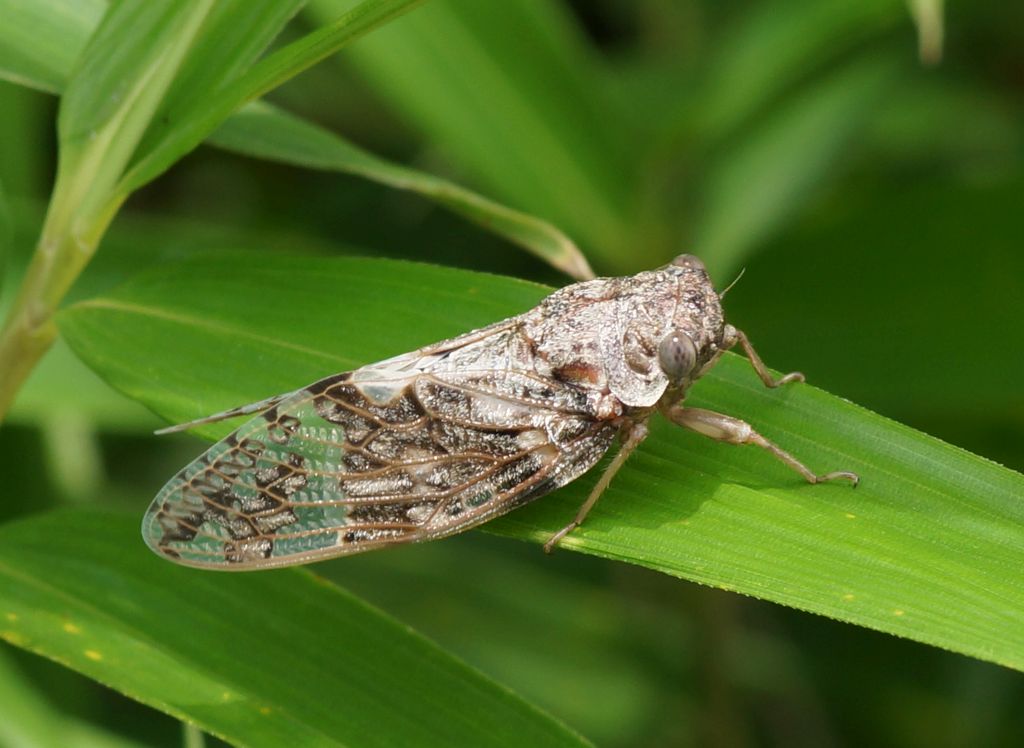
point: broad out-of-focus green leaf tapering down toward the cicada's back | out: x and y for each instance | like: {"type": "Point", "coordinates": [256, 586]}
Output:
{"type": "Point", "coordinates": [534, 129]}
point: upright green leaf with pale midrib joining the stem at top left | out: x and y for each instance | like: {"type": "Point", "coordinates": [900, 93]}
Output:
{"type": "Point", "coordinates": [130, 80]}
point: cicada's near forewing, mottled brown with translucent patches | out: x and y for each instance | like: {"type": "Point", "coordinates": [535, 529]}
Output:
{"type": "Point", "coordinates": [372, 459]}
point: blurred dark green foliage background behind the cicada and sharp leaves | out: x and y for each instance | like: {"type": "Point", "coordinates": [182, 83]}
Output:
{"type": "Point", "coordinates": [874, 200]}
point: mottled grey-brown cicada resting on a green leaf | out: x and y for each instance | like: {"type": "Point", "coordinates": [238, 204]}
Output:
{"type": "Point", "coordinates": [441, 440]}
